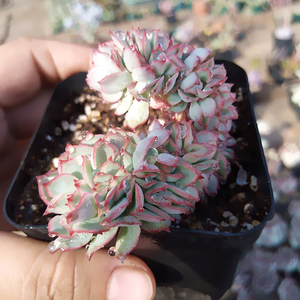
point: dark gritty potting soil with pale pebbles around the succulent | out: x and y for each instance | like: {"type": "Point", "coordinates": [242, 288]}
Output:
{"type": "Point", "coordinates": [236, 208]}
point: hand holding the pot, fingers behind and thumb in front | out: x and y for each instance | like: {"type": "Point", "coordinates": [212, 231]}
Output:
{"type": "Point", "coordinates": [29, 69]}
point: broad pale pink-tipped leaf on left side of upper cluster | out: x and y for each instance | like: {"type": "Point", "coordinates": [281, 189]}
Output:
{"type": "Point", "coordinates": [116, 82]}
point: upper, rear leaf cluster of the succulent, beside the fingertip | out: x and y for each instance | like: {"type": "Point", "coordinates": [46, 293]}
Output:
{"type": "Point", "coordinates": [138, 70]}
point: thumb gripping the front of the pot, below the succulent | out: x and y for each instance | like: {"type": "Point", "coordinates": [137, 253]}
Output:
{"type": "Point", "coordinates": [28, 272]}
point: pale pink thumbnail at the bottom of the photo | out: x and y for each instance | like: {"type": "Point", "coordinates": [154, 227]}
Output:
{"type": "Point", "coordinates": [129, 283]}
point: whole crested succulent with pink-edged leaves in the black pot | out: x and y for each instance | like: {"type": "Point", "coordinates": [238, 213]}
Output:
{"type": "Point", "coordinates": [116, 184]}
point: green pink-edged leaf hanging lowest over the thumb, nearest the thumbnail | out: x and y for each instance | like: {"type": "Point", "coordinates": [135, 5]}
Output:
{"type": "Point", "coordinates": [126, 240]}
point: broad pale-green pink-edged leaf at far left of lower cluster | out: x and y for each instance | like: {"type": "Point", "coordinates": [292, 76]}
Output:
{"type": "Point", "coordinates": [61, 184]}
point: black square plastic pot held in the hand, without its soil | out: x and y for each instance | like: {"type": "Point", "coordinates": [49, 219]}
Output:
{"type": "Point", "coordinates": [201, 260]}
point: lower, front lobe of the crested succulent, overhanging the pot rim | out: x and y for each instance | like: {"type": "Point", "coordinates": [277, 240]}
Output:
{"type": "Point", "coordinates": [115, 184]}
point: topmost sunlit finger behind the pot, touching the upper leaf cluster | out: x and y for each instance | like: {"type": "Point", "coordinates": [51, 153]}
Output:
{"type": "Point", "coordinates": [29, 64]}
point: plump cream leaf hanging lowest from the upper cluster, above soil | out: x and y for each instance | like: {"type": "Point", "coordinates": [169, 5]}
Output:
{"type": "Point", "coordinates": [137, 114]}
